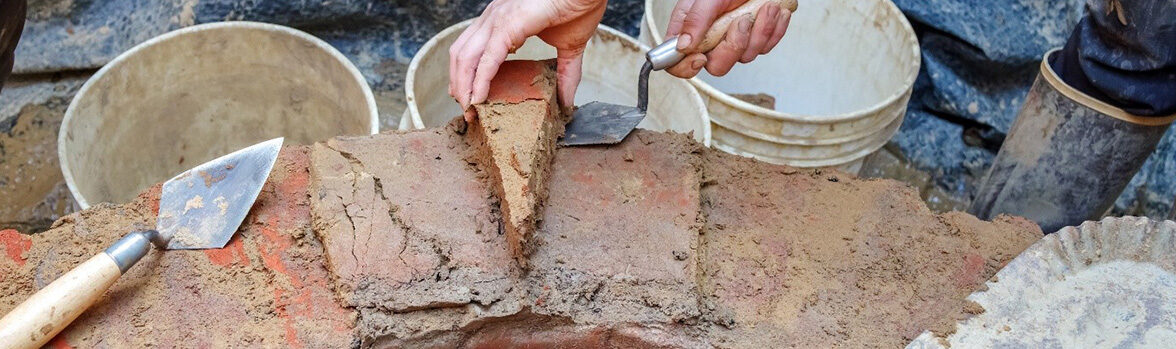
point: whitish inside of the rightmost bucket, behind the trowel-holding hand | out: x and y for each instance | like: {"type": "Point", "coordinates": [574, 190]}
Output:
{"type": "Point", "coordinates": [838, 58]}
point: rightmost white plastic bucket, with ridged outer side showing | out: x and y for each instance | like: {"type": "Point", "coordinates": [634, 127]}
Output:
{"type": "Point", "coordinates": [844, 76]}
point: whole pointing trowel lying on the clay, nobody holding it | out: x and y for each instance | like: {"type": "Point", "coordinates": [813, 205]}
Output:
{"type": "Point", "coordinates": [198, 210]}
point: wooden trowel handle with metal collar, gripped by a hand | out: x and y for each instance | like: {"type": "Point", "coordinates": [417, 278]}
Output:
{"type": "Point", "coordinates": [667, 56]}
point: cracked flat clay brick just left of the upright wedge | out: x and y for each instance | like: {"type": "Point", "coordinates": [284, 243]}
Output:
{"type": "Point", "coordinates": [409, 227]}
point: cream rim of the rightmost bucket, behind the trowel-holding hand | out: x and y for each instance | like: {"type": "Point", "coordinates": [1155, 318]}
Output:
{"type": "Point", "coordinates": [812, 119]}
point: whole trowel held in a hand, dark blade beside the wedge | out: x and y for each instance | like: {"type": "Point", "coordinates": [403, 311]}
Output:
{"type": "Point", "coordinates": [605, 124]}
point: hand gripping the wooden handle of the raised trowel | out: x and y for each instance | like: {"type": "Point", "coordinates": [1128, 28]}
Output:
{"type": "Point", "coordinates": [744, 42]}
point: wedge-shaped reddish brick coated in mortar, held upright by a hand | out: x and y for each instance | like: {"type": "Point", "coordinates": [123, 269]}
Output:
{"type": "Point", "coordinates": [514, 136]}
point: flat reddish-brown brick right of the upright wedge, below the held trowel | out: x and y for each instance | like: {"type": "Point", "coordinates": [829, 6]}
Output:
{"type": "Point", "coordinates": [619, 237]}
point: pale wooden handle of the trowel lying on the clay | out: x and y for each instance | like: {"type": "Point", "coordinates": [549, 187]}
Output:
{"type": "Point", "coordinates": [41, 318]}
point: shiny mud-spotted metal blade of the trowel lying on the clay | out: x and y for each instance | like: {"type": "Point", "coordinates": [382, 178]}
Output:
{"type": "Point", "coordinates": [203, 207]}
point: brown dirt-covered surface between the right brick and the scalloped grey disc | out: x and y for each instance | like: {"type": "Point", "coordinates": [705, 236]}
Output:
{"type": "Point", "coordinates": [820, 259]}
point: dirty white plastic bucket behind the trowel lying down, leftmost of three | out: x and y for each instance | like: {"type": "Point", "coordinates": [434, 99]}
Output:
{"type": "Point", "coordinates": [193, 95]}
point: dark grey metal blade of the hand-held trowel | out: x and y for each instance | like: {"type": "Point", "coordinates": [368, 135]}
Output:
{"type": "Point", "coordinates": [602, 124]}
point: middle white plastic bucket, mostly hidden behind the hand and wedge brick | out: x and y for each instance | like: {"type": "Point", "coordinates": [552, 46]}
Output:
{"type": "Point", "coordinates": [612, 64]}
